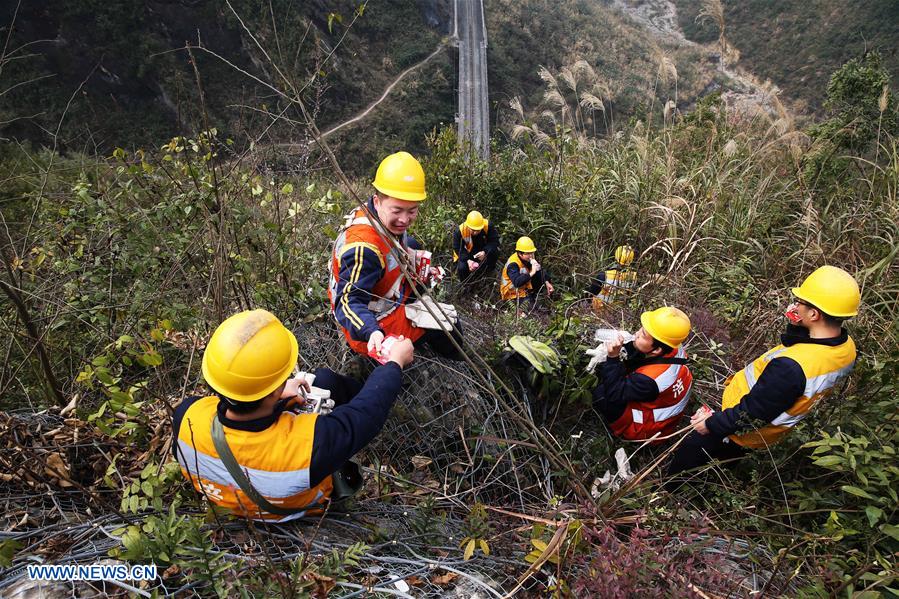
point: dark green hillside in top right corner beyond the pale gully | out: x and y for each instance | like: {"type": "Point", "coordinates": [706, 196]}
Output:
{"type": "Point", "coordinates": [797, 45]}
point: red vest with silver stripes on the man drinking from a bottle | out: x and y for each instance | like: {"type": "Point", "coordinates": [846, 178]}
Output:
{"type": "Point", "coordinates": [642, 420]}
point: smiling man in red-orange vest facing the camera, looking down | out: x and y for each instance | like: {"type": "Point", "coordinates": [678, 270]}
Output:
{"type": "Point", "coordinates": [369, 293]}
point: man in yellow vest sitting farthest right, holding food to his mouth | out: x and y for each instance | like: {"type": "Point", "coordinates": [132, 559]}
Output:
{"type": "Point", "coordinates": [765, 400]}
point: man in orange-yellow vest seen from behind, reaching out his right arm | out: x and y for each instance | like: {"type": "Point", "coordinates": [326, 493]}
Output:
{"type": "Point", "coordinates": [247, 447]}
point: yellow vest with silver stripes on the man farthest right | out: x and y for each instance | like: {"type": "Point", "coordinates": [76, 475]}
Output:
{"type": "Point", "coordinates": [822, 365]}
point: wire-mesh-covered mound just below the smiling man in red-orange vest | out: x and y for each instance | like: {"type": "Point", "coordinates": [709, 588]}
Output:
{"type": "Point", "coordinates": [445, 421]}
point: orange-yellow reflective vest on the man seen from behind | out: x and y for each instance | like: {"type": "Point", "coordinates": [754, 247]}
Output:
{"type": "Point", "coordinates": [276, 460]}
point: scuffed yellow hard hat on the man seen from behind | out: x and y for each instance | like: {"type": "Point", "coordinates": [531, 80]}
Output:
{"type": "Point", "coordinates": [249, 356]}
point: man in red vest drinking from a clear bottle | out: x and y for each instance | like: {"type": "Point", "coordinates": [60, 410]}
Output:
{"type": "Point", "coordinates": [644, 395]}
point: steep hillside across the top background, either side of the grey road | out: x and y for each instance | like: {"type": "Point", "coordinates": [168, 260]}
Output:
{"type": "Point", "coordinates": [122, 76]}
